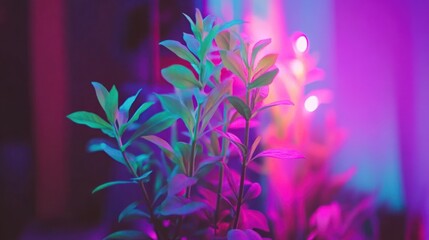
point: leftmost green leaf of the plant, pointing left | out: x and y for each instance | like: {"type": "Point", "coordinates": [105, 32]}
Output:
{"type": "Point", "coordinates": [92, 120]}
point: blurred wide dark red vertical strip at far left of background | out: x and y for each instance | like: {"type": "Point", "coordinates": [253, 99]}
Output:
{"type": "Point", "coordinates": [49, 89]}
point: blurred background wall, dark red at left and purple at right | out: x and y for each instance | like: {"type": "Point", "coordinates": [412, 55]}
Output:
{"type": "Point", "coordinates": [375, 55]}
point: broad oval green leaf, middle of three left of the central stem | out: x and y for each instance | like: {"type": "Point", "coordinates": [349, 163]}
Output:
{"type": "Point", "coordinates": [180, 77]}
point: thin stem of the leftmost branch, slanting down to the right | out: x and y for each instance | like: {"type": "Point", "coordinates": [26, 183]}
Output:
{"type": "Point", "coordinates": [157, 225]}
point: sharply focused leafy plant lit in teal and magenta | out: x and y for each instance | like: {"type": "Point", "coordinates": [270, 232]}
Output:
{"type": "Point", "coordinates": [196, 185]}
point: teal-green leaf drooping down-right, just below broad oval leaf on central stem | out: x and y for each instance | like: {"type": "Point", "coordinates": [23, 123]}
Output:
{"type": "Point", "coordinates": [172, 104]}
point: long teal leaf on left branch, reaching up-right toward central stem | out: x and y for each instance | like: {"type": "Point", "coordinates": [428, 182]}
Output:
{"type": "Point", "coordinates": [155, 124]}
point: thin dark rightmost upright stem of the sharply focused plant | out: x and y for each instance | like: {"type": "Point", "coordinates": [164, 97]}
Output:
{"type": "Point", "coordinates": [243, 167]}
